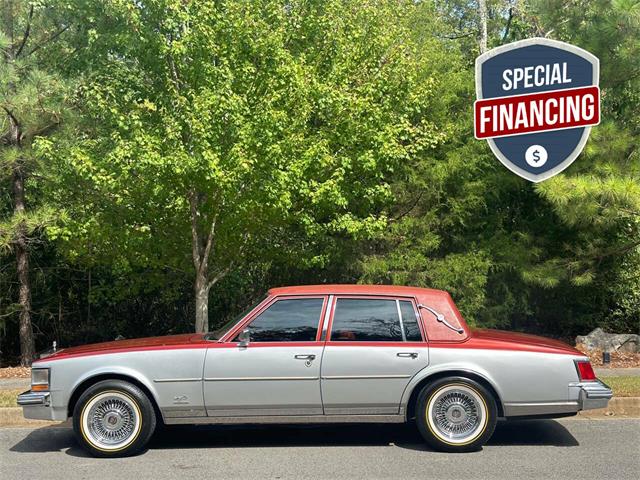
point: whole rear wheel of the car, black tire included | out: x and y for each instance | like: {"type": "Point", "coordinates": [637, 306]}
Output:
{"type": "Point", "coordinates": [456, 414]}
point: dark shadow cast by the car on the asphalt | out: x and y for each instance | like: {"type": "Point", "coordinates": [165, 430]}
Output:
{"type": "Point", "coordinates": [531, 432]}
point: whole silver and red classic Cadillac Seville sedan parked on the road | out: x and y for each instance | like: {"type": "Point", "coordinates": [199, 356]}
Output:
{"type": "Point", "coordinates": [310, 354]}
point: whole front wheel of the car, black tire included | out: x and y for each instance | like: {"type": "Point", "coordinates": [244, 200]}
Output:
{"type": "Point", "coordinates": [113, 418]}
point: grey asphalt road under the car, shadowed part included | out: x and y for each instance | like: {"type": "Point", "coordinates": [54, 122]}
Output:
{"type": "Point", "coordinates": [557, 449]}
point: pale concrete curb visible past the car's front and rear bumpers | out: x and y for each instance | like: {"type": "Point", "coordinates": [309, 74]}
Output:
{"type": "Point", "coordinates": [618, 407]}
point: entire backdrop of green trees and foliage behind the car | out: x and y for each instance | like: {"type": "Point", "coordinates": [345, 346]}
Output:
{"type": "Point", "coordinates": [328, 141]}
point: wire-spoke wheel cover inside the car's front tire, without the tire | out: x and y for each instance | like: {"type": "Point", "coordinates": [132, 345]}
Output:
{"type": "Point", "coordinates": [111, 421]}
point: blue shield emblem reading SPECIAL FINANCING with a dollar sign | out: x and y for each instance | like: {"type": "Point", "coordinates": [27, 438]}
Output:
{"type": "Point", "coordinates": [537, 101]}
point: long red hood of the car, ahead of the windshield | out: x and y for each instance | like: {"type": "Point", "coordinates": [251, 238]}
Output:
{"type": "Point", "coordinates": [148, 343]}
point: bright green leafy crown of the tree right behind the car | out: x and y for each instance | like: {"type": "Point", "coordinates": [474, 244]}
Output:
{"type": "Point", "coordinates": [260, 122]}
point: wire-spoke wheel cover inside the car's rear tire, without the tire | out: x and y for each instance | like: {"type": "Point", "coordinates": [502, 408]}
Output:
{"type": "Point", "coordinates": [456, 414]}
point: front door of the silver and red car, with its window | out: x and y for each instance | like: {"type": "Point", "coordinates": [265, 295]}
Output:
{"type": "Point", "coordinates": [278, 371]}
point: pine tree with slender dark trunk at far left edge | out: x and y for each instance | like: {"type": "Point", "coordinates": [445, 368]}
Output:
{"type": "Point", "coordinates": [31, 103]}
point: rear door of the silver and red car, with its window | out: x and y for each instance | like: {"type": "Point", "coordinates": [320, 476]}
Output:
{"type": "Point", "coordinates": [375, 346]}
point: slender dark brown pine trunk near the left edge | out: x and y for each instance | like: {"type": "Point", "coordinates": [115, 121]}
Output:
{"type": "Point", "coordinates": [27, 348]}
